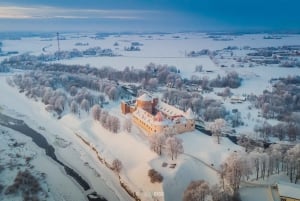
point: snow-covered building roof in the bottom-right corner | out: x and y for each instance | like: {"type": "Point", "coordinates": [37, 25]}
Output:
{"type": "Point", "coordinates": [289, 190]}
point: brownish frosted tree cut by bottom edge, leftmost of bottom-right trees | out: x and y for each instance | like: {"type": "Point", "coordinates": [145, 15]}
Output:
{"type": "Point", "coordinates": [196, 191]}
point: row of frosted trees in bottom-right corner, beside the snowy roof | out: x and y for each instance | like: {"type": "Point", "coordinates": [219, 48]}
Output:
{"type": "Point", "coordinates": [242, 166]}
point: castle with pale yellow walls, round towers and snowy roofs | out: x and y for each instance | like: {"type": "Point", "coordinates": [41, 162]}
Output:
{"type": "Point", "coordinates": [157, 117]}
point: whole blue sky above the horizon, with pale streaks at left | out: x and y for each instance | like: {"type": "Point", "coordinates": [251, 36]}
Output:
{"type": "Point", "coordinates": [149, 15]}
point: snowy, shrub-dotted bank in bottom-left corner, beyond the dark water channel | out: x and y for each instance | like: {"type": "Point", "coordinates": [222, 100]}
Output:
{"type": "Point", "coordinates": [19, 153]}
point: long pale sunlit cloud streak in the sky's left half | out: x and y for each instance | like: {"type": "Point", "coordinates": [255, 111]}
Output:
{"type": "Point", "coordinates": [15, 12]}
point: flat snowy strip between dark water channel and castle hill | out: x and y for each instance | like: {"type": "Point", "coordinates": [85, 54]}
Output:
{"type": "Point", "coordinates": [69, 149]}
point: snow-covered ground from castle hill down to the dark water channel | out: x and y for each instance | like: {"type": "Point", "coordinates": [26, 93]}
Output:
{"type": "Point", "coordinates": [131, 149]}
